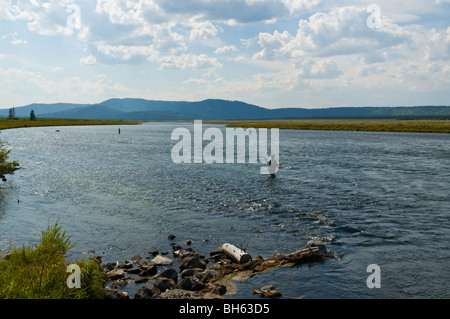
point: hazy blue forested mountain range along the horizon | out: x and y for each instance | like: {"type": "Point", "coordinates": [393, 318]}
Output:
{"type": "Point", "coordinates": [213, 109]}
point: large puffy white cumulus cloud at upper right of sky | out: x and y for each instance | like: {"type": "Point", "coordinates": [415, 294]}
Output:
{"type": "Point", "coordinates": [342, 31]}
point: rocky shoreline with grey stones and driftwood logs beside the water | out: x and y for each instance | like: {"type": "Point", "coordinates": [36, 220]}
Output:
{"type": "Point", "coordinates": [196, 276]}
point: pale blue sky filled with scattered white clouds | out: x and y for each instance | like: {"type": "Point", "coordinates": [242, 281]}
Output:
{"type": "Point", "coordinates": [272, 53]}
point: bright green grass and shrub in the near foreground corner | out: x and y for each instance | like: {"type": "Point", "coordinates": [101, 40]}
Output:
{"type": "Point", "coordinates": [40, 272]}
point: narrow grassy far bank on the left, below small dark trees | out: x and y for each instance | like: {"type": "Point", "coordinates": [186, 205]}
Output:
{"type": "Point", "coordinates": [25, 122]}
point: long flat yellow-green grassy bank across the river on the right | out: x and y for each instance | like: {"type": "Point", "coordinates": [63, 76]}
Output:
{"type": "Point", "coordinates": [388, 125]}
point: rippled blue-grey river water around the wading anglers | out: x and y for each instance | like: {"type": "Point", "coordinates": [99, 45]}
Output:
{"type": "Point", "coordinates": [373, 198]}
